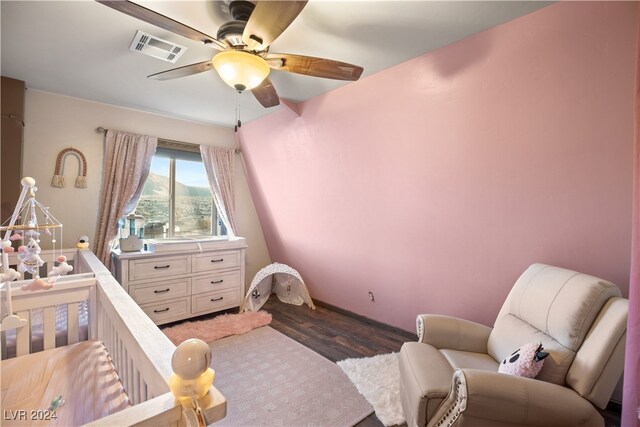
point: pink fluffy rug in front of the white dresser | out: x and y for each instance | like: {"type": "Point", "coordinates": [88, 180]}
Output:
{"type": "Point", "coordinates": [218, 327]}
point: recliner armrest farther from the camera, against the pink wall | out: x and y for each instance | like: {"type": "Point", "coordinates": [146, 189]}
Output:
{"type": "Point", "coordinates": [452, 333]}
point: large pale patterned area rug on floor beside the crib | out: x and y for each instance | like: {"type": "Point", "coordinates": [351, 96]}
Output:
{"type": "Point", "coordinates": [269, 379]}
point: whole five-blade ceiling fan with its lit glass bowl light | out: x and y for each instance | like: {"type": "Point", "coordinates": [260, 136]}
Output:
{"type": "Point", "coordinates": [244, 61]}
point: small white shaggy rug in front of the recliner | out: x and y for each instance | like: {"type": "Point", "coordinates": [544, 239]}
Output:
{"type": "Point", "coordinates": [378, 380]}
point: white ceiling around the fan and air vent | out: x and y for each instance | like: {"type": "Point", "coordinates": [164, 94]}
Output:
{"type": "Point", "coordinates": [81, 48]}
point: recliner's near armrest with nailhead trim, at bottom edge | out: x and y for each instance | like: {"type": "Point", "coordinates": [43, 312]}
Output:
{"type": "Point", "coordinates": [490, 398]}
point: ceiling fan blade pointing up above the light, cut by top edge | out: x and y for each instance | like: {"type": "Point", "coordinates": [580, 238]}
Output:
{"type": "Point", "coordinates": [268, 20]}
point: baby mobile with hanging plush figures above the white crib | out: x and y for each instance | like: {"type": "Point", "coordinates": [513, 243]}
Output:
{"type": "Point", "coordinates": [30, 221]}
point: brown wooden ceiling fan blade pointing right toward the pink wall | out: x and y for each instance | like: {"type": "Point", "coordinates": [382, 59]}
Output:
{"type": "Point", "coordinates": [317, 67]}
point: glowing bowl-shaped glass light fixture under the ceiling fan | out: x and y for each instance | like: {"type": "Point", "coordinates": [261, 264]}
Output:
{"type": "Point", "coordinates": [240, 70]}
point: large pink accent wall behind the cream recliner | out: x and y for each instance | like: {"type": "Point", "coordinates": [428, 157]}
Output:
{"type": "Point", "coordinates": [435, 183]}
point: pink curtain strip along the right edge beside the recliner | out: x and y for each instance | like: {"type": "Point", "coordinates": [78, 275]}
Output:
{"type": "Point", "coordinates": [631, 391]}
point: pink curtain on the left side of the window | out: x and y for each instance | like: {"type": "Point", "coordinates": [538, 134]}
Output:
{"type": "Point", "coordinates": [127, 160]}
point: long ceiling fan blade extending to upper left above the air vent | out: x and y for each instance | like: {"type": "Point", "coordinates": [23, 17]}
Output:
{"type": "Point", "coordinates": [161, 21]}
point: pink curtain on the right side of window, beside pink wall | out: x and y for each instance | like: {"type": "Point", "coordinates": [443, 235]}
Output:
{"type": "Point", "coordinates": [220, 166]}
